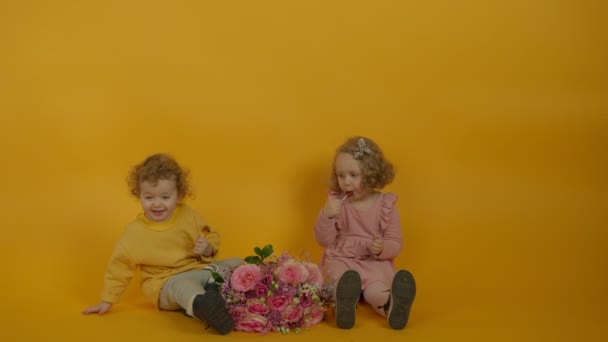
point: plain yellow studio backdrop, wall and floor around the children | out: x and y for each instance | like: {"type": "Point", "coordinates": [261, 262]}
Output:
{"type": "Point", "coordinates": [494, 112]}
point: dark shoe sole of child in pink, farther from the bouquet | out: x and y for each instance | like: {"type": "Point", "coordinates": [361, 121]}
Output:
{"type": "Point", "coordinates": [402, 296]}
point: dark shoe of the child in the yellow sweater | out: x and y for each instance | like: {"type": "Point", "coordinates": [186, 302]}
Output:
{"type": "Point", "coordinates": [210, 307]}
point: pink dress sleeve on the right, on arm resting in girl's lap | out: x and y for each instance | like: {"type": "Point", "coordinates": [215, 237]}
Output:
{"type": "Point", "coordinates": [390, 224]}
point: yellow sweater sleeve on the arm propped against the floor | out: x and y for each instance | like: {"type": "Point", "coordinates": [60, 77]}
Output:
{"type": "Point", "coordinates": [119, 273]}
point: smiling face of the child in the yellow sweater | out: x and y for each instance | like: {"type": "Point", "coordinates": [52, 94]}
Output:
{"type": "Point", "coordinates": [158, 200]}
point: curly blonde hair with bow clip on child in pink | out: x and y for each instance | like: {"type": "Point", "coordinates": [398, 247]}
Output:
{"type": "Point", "coordinates": [377, 172]}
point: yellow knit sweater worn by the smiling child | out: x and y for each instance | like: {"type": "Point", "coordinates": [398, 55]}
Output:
{"type": "Point", "coordinates": [158, 250]}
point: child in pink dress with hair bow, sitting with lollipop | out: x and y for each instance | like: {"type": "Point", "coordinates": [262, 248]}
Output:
{"type": "Point", "coordinates": [360, 229]}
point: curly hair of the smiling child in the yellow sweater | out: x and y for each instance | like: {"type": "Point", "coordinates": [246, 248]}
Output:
{"type": "Point", "coordinates": [159, 166]}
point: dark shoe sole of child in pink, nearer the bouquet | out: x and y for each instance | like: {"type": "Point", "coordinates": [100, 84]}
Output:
{"type": "Point", "coordinates": [348, 292]}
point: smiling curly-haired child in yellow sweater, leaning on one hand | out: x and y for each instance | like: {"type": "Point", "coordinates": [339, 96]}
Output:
{"type": "Point", "coordinates": [171, 245]}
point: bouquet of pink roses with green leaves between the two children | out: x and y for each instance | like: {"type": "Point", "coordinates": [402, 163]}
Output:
{"type": "Point", "coordinates": [281, 294]}
